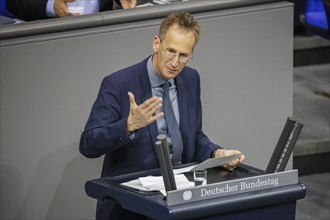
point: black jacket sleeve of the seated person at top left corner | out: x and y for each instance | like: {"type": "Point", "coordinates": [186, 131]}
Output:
{"type": "Point", "coordinates": [28, 10]}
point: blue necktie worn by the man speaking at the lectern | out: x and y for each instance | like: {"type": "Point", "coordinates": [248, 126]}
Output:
{"type": "Point", "coordinates": [172, 125]}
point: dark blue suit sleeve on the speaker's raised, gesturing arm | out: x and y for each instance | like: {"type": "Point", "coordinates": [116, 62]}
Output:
{"type": "Point", "coordinates": [106, 128]}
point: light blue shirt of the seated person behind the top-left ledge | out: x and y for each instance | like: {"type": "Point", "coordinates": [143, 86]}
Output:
{"type": "Point", "coordinates": [90, 6]}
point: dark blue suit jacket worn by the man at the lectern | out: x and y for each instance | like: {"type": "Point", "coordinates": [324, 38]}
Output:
{"type": "Point", "coordinates": [106, 129]}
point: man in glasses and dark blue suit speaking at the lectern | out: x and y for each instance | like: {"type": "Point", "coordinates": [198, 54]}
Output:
{"type": "Point", "coordinates": [128, 113]}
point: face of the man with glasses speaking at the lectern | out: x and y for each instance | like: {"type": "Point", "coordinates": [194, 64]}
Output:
{"type": "Point", "coordinates": [176, 42]}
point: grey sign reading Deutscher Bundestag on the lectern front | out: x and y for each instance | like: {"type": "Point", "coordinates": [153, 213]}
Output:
{"type": "Point", "coordinates": [232, 187]}
